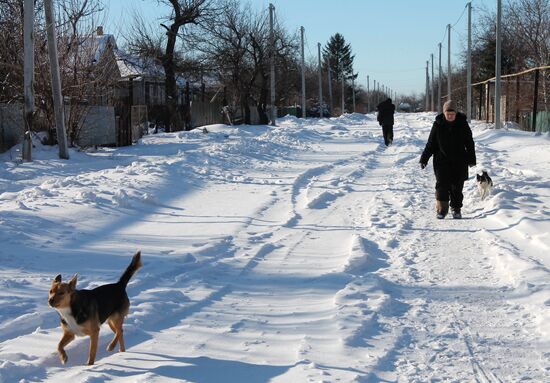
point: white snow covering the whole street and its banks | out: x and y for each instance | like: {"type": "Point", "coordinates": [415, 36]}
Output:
{"type": "Point", "coordinates": [306, 252]}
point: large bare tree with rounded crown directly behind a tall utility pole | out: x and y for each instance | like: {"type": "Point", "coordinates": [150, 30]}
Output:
{"type": "Point", "coordinates": [236, 47]}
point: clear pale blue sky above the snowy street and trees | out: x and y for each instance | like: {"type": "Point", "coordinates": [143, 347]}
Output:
{"type": "Point", "coordinates": [391, 39]}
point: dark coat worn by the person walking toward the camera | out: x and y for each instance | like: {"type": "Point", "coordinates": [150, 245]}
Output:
{"type": "Point", "coordinates": [452, 146]}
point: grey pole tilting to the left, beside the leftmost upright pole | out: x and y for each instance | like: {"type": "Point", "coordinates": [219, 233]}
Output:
{"type": "Point", "coordinates": [56, 82]}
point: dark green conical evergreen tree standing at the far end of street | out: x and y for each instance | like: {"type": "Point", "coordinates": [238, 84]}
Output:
{"type": "Point", "coordinates": [337, 56]}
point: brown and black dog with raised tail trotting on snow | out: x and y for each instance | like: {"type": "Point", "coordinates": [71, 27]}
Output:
{"type": "Point", "coordinates": [83, 311]}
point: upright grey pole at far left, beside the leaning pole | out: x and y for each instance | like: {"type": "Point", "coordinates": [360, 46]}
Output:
{"type": "Point", "coordinates": [28, 113]}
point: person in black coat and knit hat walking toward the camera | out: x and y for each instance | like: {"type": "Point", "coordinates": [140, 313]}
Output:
{"type": "Point", "coordinates": [452, 146]}
